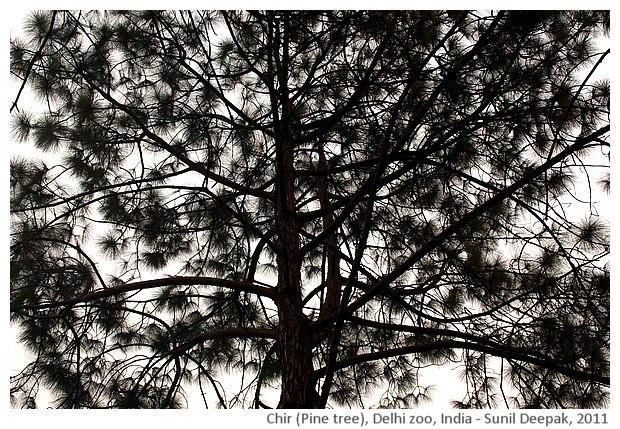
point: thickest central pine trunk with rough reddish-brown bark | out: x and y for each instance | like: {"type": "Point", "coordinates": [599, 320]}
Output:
{"type": "Point", "coordinates": [294, 333]}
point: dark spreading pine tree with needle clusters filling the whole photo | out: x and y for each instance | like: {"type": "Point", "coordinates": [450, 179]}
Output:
{"type": "Point", "coordinates": [320, 203]}
